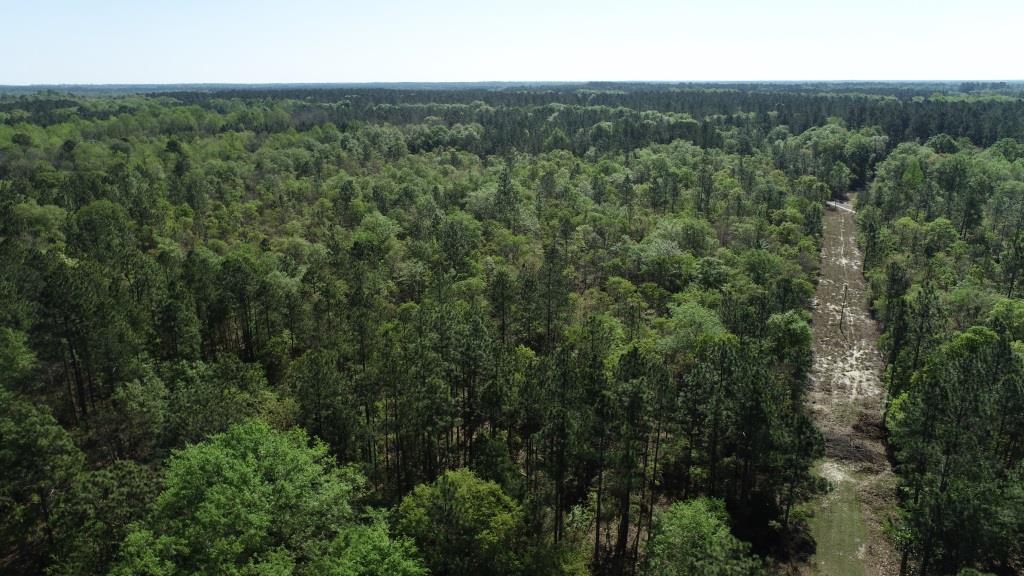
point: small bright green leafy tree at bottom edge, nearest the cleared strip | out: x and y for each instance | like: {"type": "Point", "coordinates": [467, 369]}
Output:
{"type": "Point", "coordinates": [693, 539]}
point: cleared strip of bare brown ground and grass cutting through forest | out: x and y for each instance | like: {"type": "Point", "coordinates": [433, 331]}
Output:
{"type": "Point", "coordinates": [847, 400]}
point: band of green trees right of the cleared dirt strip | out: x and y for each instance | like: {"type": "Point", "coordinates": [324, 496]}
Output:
{"type": "Point", "coordinates": [944, 237]}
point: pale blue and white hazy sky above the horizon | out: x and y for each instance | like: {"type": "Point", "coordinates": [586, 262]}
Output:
{"type": "Point", "coordinates": [252, 42]}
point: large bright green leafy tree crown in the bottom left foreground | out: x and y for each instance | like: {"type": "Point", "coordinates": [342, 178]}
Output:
{"type": "Point", "coordinates": [254, 501]}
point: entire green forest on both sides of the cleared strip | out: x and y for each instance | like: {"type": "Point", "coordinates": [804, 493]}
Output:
{"type": "Point", "coordinates": [558, 330]}
